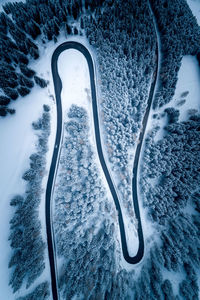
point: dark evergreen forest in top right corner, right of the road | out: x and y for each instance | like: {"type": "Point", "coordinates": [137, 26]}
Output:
{"type": "Point", "coordinates": [179, 35]}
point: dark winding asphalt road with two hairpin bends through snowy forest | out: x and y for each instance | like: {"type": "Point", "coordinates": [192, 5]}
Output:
{"type": "Point", "coordinates": [56, 153]}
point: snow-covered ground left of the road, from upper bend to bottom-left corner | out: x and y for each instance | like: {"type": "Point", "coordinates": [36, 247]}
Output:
{"type": "Point", "coordinates": [17, 144]}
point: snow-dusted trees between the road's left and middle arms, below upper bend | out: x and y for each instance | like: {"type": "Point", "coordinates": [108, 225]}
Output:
{"type": "Point", "coordinates": [84, 228]}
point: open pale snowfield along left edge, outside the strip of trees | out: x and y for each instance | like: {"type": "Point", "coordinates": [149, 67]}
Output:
{"type": "Point", "coordinates": [17, 144]}
